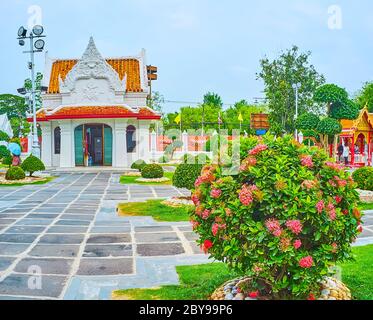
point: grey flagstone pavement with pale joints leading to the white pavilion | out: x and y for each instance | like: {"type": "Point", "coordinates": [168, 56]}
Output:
{"type": "Point", "coordinates": [64, 240]}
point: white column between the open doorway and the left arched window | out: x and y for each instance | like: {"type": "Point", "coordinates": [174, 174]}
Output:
{"type": "Point", "coordinates": [67, 145]}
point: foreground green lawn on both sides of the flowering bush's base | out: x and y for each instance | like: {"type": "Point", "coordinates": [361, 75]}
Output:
{"type": "Point", "coordinates": [199, 282]}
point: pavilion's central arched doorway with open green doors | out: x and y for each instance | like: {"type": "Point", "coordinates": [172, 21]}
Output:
{"type": "Point", "coordinates": [93, 145]}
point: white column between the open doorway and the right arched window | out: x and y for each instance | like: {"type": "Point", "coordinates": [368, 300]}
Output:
{"type": "Point", "coordinates": [120, 144]}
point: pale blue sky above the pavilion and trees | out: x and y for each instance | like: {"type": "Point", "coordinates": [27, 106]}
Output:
{"type": "Point", "coordinates": [198, 45]}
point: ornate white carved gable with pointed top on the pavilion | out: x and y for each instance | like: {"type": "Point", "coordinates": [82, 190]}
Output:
{"type": "Point", "coordinates": [92, 80]}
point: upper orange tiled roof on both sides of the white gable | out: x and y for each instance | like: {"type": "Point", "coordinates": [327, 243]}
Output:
{"type": "Point", "coordinates": [131, 67]}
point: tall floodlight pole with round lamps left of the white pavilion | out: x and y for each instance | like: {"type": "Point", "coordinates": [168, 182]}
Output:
{"type": "Point", "coordinates": [36, 45]}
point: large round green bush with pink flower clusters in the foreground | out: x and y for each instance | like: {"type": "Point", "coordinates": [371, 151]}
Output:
{"type": "Point", "coordinates": [286, 217]}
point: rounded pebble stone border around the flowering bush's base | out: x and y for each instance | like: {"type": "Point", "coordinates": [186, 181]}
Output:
{"type": "Point", "coordinates": [330, 289]}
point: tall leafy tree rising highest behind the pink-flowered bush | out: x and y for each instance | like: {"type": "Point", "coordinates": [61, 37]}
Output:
{"type": "Point", "coordinates": [279, 76]}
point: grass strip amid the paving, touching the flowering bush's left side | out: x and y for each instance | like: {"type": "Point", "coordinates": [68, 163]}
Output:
{"type": "Point", "coordinates": [155, 209]}
